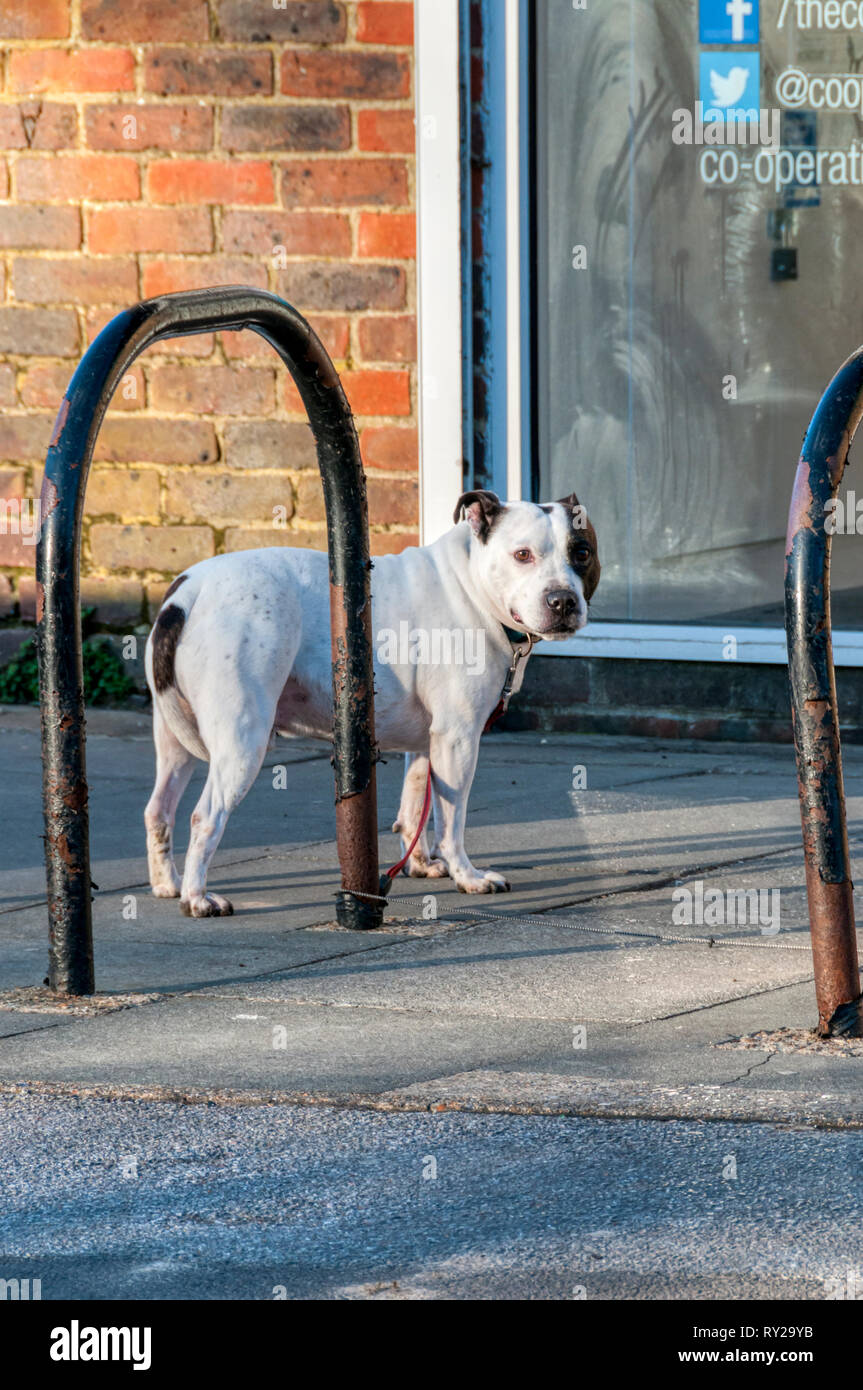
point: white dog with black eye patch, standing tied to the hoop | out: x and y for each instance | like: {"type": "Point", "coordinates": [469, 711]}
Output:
{"type": "Point", "coordinates": [241, 651]}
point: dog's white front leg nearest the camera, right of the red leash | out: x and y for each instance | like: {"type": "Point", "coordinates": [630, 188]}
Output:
{"type": "Point", "coordinates": [454, 758]}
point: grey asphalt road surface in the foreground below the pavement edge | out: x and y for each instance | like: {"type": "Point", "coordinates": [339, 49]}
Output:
{"type": "Point", "coordinates": [254, 1203]}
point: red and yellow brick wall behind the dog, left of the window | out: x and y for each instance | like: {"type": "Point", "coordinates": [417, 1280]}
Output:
{"type": "Point", "coordinates": [159, 145]}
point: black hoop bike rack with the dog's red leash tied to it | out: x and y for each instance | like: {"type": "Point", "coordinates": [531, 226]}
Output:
{"type": "Point", "coordinates": [58, 596]}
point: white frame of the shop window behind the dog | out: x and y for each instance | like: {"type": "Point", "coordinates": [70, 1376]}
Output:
{"type": "Point", "coordinates": [440, 344]}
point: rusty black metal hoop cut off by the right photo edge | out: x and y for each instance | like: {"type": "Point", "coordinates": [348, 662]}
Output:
{"type": "Point", "coordinates": [814, 703]}
